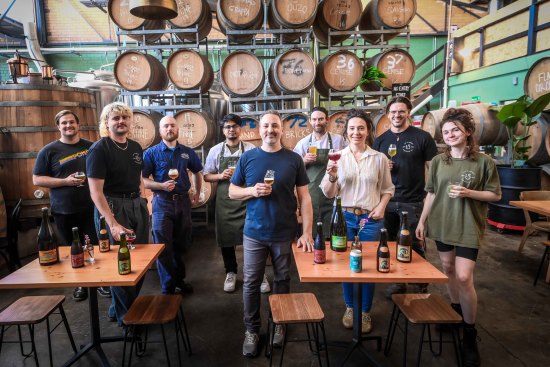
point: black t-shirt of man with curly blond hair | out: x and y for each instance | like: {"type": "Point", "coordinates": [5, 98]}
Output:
{"type": "Point", "coordinates": [118, 164]}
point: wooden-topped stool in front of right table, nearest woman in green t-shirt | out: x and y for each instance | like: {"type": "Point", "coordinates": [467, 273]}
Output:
{"type": "Point", "coordinates": [425, 309]}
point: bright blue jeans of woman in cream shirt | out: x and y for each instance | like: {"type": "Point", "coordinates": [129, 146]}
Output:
{"type": "Point", "coordinates": [370, 232]}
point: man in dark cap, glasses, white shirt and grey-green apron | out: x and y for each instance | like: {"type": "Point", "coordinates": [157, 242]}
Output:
{"type": "Point", "coordinates": [230, 214]}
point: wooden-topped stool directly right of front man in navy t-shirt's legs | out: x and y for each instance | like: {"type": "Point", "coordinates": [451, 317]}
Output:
{"type": "Point", "coordinates": [296, 308]}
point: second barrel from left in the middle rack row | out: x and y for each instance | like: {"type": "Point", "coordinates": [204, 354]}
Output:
{"type": "Point", "coordinates": [188, 69]}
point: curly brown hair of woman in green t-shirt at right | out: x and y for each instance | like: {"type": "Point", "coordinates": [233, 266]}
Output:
{"type": "Point", "coordinates": [464, 120]}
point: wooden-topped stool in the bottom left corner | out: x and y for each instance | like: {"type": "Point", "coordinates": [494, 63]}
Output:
{"type": "Point", "coordinates": [33, 310]}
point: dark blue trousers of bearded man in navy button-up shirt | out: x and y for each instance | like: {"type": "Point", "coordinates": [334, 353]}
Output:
{"type": "Point", "coordinates": [171, 226]}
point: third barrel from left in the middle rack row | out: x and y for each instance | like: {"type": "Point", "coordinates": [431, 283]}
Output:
{"type": "Point", "coordinates": [242, 74]}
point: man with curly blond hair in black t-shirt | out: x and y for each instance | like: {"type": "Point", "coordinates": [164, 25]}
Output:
{"type": "Point", "coordinates": [114, 166]}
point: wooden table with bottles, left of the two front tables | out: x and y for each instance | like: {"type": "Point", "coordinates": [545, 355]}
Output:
{"type": "Point", "coordinates": [104, 272]}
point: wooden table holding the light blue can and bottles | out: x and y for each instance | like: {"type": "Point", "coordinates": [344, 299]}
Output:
{"type": "Point", "coordinates": [337, 269]}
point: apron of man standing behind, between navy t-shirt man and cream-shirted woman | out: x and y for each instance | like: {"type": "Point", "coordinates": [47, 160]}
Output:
{"type": "Point", "coordinates": [322, 206]}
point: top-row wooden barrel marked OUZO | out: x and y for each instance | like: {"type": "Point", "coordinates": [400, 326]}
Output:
{"type": "Point", "coordinates": [291, 14]}
